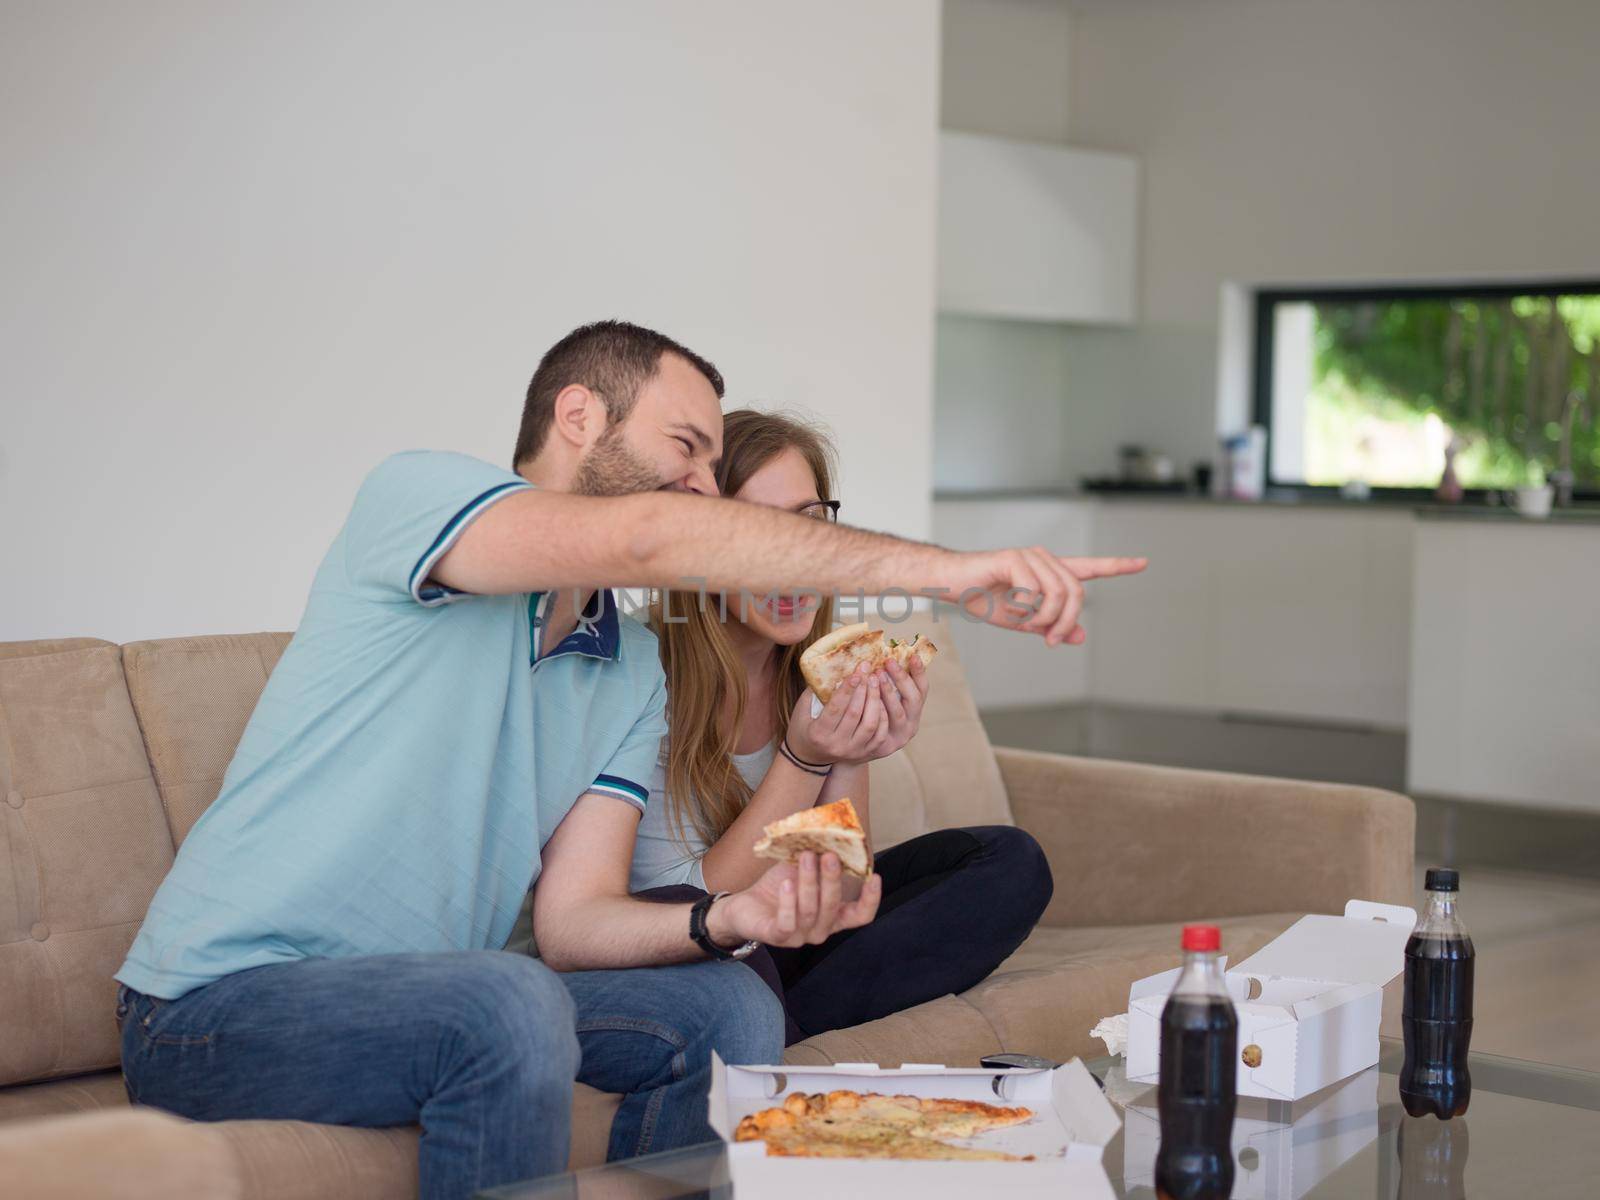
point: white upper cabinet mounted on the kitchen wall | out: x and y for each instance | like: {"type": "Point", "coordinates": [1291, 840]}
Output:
{"type": "Point", "coordinates": [1036, 233]}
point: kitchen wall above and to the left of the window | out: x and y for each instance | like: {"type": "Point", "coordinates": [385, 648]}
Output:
{"type": "Point", "coordinates": [1311, 142]}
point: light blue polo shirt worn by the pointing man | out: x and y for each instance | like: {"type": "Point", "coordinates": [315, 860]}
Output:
{"type": "Point", "coordinates": [399, 703]}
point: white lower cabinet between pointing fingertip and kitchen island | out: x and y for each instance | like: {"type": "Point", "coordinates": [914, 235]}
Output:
{"type": "Point", "coordinates": [1295, 615]}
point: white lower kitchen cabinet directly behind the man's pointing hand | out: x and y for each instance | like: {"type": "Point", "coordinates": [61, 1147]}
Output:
{"type": "Point", "coordinates": [1010, 670]}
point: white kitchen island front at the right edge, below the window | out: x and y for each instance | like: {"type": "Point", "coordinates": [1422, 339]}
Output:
{"type": "Point", "coordinates": [1506, 663]}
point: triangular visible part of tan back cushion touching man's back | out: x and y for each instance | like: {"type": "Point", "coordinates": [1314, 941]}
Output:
{"type": "Point", "coordinates": [194, 697]}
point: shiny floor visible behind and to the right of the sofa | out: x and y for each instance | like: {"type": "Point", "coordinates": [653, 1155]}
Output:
{"type": "Point", "coordinates": [1537, 934]}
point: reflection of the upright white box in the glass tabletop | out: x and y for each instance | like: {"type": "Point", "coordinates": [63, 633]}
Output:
{"type": "Point", "coordinates": [1273, 1159]}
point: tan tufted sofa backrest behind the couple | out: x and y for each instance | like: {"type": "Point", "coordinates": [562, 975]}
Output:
{"type": "Point", "coordinates": [110, 756]}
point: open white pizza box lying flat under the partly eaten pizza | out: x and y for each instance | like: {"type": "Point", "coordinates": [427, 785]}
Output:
{"type": "Point", "coordinates": [1068, 1135]}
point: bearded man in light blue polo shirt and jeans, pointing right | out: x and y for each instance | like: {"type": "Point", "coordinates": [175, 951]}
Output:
{"type": "Point", "coordinates": [463, 716]}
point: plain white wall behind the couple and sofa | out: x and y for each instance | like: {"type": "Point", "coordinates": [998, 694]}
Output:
{"type": "Point", "coordinates": [252, 249]}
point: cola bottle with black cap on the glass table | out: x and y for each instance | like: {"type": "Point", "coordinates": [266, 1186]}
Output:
{"type": "Point", "coordinates": [1436, 1014]}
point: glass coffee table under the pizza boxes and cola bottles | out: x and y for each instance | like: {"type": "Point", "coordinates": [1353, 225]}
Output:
{"type": "Point", "coordinates": [1532, 1132]}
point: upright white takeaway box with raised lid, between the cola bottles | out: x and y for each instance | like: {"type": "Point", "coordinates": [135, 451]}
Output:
{"type": "Point", "coordinates": [1310, 1002]}
